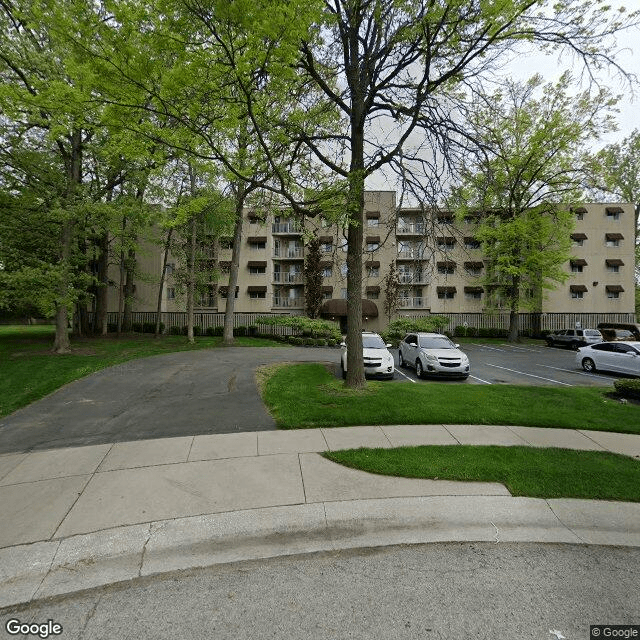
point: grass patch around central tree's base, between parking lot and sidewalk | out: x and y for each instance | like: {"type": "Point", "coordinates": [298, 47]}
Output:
{"type": "Point", "coordinates": [307, 395]}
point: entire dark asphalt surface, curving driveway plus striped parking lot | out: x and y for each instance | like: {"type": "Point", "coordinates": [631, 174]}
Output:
{"type": "Point", "coordinates": [214, 391]}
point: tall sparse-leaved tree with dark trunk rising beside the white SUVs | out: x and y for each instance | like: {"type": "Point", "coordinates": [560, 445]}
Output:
{"type": "Point", "coordinates": [392, 68]}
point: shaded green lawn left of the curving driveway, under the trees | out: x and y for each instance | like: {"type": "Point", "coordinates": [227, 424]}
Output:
{"type": "Point", "coordinates": [30, 371]}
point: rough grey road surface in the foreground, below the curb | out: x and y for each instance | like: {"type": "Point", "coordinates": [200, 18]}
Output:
{"type": "Point", "coordinates": [446, 591]}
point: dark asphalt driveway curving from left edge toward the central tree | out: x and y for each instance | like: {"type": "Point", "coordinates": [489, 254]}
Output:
{"type": "Point", "coordinates": [179, 394]}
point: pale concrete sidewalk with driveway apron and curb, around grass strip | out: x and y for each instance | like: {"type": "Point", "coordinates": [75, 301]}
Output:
{"type": "Point", "coordinates": [84, 517]}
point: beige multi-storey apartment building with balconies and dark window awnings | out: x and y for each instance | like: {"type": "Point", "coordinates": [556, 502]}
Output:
{"type": "Point", "coordinates": [439, 264]}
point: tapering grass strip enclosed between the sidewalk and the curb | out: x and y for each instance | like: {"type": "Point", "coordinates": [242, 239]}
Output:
{"type": "Point", "coordinates": [525, 471]}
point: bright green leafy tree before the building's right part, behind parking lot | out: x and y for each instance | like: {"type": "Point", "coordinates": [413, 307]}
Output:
{"type": "Point", "coordinates": [523, 182]}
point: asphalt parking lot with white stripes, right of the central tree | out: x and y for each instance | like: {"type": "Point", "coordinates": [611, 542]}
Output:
{"type": "Point", "coordinates": [526, 364]}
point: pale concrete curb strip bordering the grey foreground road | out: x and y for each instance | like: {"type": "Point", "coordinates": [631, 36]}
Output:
{"type": "Point", "coordinates": [45, 569]}
